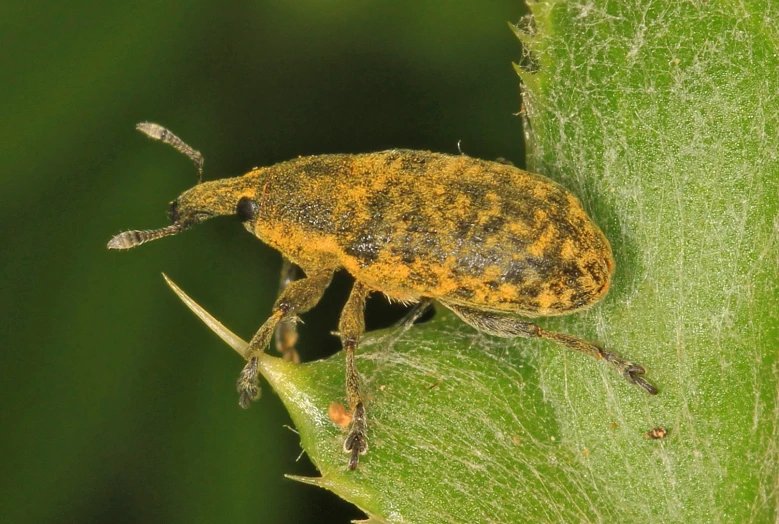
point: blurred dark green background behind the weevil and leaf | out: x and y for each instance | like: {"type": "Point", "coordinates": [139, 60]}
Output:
{"type": "Point", "coordinates": [117, 403]}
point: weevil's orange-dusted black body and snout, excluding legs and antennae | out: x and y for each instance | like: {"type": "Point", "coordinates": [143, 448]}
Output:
{"type": "Point", "coordinates": [416, 224]}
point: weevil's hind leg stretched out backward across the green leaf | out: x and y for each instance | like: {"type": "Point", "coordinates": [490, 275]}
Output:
{"type": "Point", "coordinates": [508, 326]}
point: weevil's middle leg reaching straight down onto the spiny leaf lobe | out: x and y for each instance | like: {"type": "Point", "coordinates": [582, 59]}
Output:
{"type": "Point", "coordinates": [351, 327]}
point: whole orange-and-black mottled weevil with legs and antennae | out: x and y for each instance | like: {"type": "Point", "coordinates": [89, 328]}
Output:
{"type": "Point", "coordinates": [489, 241]}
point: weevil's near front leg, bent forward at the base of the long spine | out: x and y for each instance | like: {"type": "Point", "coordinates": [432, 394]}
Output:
{"type": "Point", "coordinates": [298, 297]}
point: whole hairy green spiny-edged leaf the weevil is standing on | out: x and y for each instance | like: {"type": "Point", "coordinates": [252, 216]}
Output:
{"type": "Point", "coordinates": [662, 118]}
